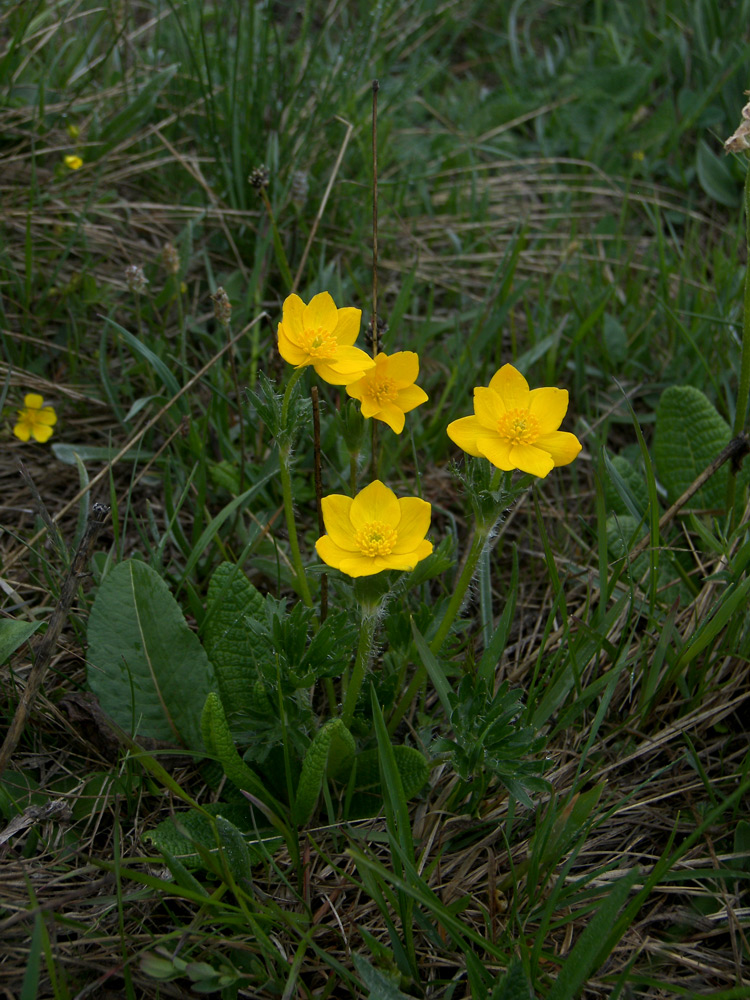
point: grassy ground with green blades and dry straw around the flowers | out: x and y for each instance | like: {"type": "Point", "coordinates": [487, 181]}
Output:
{"type": "Point", "coordinates": [552, 192]}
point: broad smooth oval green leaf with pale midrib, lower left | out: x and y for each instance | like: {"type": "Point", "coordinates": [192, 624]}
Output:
{"type": "Point", "coordinates": [145, 665]}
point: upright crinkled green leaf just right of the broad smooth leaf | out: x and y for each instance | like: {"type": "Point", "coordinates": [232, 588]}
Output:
{"type": "Point", "coordinates": [232, 600]}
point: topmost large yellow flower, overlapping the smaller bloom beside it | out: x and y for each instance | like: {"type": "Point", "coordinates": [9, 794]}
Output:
{"type": "Point", "coordinates": [321, 335]}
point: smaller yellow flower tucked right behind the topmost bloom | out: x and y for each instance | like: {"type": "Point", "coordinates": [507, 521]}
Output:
{"type": "Point", "coordinates": [387, 391]}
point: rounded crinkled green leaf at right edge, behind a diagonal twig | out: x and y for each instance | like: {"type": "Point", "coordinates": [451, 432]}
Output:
{"type": "Point", "coordinates": [689, 434]}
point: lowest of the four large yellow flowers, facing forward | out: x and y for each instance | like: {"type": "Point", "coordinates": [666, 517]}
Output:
{"type": "Point", "coordinates": [375, 531]}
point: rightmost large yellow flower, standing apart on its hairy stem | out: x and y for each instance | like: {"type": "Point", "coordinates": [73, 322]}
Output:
{"type": "Point", "coordinates": [516, 427]}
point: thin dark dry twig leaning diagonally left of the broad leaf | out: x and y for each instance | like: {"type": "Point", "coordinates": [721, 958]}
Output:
{"type": "Point", "coordinates": [44, 649]}
